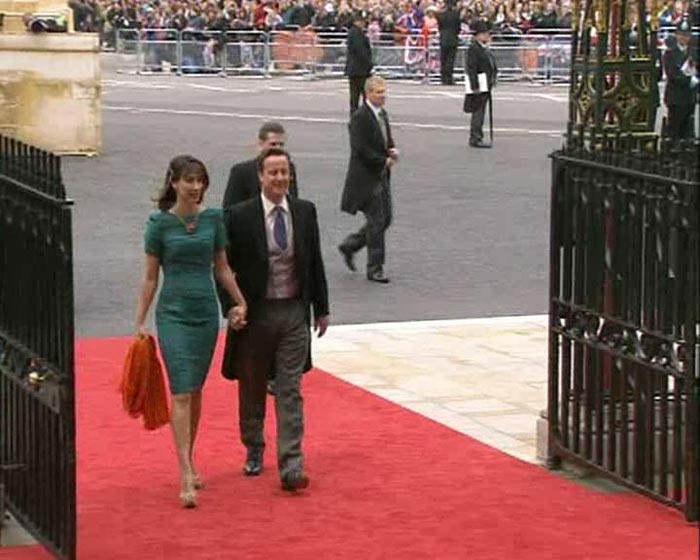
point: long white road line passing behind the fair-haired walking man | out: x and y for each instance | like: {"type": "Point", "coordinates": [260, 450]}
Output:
{"type": "Point", "coordinates": [320, 120]}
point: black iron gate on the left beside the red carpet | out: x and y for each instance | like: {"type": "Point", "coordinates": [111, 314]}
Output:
{"type": "Point", "coordinates": [37, 419]}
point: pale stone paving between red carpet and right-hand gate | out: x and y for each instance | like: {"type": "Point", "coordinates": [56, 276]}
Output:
{"type": "Point", "coordinates": [484, 378]}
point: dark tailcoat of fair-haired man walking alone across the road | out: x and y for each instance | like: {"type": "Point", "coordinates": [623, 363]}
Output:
{"type": "Point", "coordinates": [368, 153]}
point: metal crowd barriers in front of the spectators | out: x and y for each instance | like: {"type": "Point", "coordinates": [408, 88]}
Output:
{"type": "Point", "coordinates": [542, 57]}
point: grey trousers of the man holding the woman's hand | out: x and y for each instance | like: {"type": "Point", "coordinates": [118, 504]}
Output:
{"type": "Point", "coordinates": [279, 334]}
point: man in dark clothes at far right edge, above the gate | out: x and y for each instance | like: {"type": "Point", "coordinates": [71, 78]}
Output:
{"type": "Point", "coordinates": [681, 84]}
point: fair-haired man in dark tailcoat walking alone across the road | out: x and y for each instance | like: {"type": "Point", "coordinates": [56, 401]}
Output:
{"type": "Point", "coordinates": [367, 183]}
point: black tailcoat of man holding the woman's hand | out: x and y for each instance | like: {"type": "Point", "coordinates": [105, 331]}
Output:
{"type": "Point", "coordinates": [248, 257]}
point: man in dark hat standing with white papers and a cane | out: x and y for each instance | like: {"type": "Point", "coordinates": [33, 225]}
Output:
{"type": "Point", "coordinates": [480, 60]}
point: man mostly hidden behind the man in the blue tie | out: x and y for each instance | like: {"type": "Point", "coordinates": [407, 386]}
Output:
{"type": "Point", "coordinates": [243, 182]}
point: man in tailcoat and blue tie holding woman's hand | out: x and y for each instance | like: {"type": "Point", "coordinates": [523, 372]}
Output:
{"type": "Point", "coordinates": [276, 253]}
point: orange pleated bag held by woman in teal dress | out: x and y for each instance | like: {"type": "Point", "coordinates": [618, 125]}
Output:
{"type": "Point", "coordinates": [142, 385]}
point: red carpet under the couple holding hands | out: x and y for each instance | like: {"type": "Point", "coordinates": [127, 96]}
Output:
{"type": "Point", "coordinates": [385, 484]}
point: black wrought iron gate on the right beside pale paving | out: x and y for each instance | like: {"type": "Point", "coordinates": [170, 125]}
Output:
{"type": "Point", "coordinates": [625, 314]}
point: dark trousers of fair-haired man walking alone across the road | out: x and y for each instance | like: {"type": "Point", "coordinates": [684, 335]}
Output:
{"type": "Point", "coordinates": [378, 214]}
